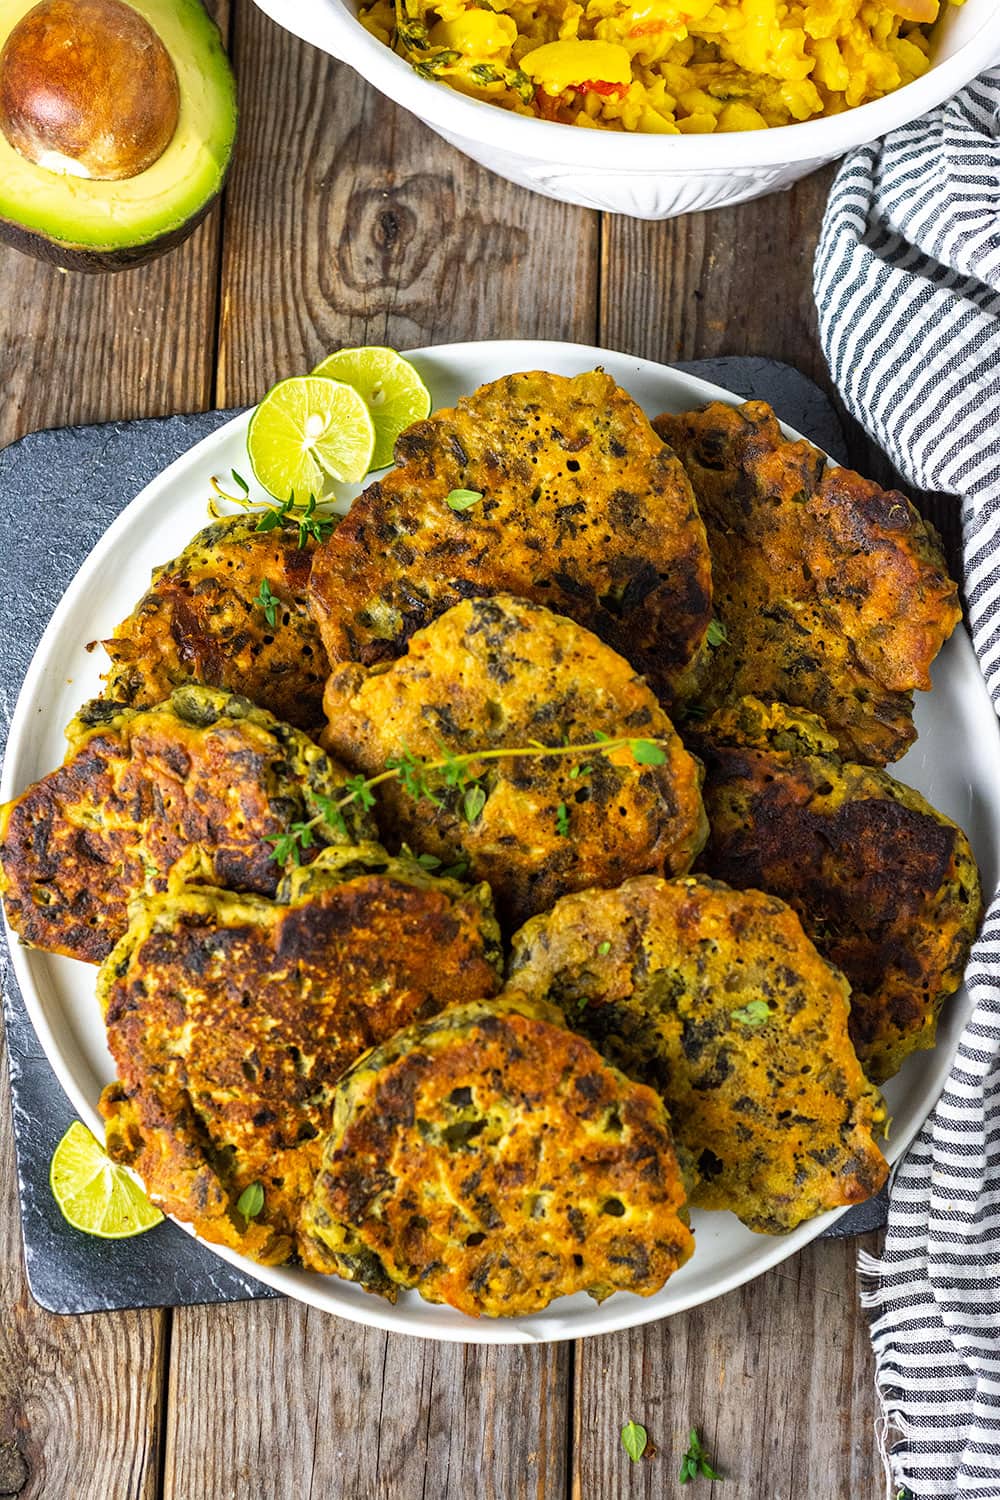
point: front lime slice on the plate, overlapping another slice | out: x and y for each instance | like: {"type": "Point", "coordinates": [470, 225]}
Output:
{"type": "Point", "coordinates": [307, 434]}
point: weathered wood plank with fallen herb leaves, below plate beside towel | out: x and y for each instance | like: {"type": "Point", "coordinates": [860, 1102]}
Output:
{"type": "Point", "coordinates": [777, 1378]}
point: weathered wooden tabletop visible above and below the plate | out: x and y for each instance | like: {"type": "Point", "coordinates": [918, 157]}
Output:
{"type": "Point", "coordinates": [347, 221]}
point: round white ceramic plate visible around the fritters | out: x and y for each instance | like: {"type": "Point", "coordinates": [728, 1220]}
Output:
{"type": "Point", "coordinates": [953, 763]}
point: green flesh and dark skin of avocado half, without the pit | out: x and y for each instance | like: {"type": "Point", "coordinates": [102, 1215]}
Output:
{"type": "Point", "coordinates": [73, 245]}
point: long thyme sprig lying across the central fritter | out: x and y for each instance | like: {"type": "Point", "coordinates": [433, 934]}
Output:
{"type": "Point", "coordinates": [461, 773]}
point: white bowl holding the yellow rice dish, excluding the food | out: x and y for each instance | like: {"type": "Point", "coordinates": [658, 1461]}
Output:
{"type": "Point", "coordinates": [644, 176]}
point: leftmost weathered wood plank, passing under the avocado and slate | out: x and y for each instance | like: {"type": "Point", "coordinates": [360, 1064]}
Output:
{"type": "Point", "coordinates": [82, 1399]}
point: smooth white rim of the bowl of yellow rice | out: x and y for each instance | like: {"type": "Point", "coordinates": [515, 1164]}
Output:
{"type": "Point", "coordinates": [334, 29]}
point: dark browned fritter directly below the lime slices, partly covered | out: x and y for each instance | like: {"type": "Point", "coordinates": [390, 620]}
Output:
{"type": "Point", "coordinates": [202, 622]}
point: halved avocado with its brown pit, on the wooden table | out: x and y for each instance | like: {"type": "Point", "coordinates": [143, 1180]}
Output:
{"type": "Point", "coordinates": [52, 209]}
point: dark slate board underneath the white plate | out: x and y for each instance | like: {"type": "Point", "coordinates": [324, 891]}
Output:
{"type": "Point", "coordinates": [82, 478]}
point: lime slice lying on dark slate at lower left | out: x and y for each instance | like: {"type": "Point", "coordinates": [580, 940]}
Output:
{"type": "Point", "coordinates": [94, 1195]}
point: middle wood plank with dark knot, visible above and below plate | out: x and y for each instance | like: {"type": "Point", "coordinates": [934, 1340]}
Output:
{"type": "Point", "coordinates": [349, 223]}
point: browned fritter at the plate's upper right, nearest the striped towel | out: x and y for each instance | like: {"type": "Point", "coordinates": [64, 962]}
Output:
{"type": "Point", "coordinates": [833, 593]}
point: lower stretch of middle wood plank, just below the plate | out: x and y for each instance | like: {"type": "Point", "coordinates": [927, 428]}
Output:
{"type": "Point", "coordinates": [277, 1400]}
